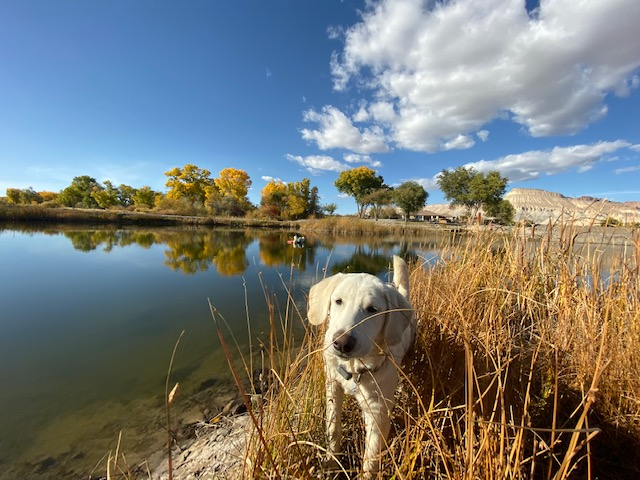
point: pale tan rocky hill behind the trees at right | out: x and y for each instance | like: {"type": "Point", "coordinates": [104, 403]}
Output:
{"type": "Point", "coordinates": [540, 206]}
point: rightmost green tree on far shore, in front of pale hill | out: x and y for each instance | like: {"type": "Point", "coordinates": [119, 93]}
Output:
{"type": "Point", "coordinates": [471, 189]}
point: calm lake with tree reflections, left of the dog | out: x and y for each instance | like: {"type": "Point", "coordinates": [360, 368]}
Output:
{"type": "Point", "coordinates": [89, 319]}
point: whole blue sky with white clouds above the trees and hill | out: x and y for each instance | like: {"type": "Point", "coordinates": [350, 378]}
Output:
{"type": "Point", "coordinates": [123, 90]}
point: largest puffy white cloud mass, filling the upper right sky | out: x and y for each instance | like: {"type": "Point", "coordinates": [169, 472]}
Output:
{"type": "Point", "coordinates": [432, 74]}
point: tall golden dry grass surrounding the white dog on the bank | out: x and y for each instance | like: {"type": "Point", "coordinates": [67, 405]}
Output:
{"type": "Point", "coordinates": [526, 366]}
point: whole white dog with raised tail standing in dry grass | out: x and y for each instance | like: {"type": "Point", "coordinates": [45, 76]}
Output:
{"type": "Point", "coordinates": [371, 327]}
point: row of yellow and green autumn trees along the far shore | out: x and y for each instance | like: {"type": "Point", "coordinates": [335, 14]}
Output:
{"type": "Point", "coordinates": [193, 191]}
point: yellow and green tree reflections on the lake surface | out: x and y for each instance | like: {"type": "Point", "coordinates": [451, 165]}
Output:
{"type": "Point", "coordinates": [198, 249]}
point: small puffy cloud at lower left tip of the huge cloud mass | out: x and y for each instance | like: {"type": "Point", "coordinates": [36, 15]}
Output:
{"type": "Point", "coordinates": [337, 131]}
